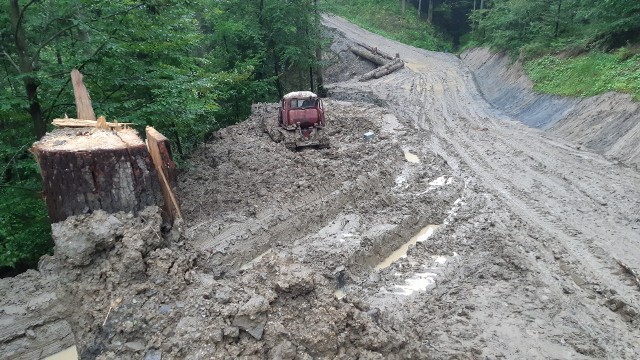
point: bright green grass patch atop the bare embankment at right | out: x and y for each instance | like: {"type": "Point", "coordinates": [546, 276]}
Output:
{"type": "Point", "coordinates": [587, 75]}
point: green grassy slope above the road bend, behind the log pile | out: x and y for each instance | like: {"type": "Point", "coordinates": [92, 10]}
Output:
{"type": "Point", "coordinates": [385, 18]}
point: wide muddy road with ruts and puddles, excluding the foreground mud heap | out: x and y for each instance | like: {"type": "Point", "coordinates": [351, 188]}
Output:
{"type": "Point", "coordinates": [524, 262]}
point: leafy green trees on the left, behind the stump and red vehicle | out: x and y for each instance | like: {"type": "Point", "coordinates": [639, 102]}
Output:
{"type": "Point", "coordinates": [184, 67]}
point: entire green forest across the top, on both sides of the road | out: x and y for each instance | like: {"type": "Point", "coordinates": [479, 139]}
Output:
{"type": "Point", "coordinates": [191, 67]}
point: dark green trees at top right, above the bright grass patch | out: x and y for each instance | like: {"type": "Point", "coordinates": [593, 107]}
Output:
{"type": "Point", "coordinates": [535, 27]}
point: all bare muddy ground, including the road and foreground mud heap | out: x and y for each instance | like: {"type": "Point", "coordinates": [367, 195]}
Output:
{"type": "Point", "coordinates": [278, 252]}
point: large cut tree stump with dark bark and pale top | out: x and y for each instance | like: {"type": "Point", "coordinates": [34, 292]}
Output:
{"type": "Point", "coordinates": [91, 169]}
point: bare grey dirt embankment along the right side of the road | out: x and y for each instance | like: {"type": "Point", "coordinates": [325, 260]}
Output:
{"type": "Point", "coordinates": [608, 124]}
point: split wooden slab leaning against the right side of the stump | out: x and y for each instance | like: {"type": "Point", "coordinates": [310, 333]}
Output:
{"type": "Point", "coordinates": [158, 146]}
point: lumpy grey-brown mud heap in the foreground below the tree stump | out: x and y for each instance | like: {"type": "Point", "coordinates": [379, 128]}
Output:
{"type": "Point", "coordinates": [132, 292]}
